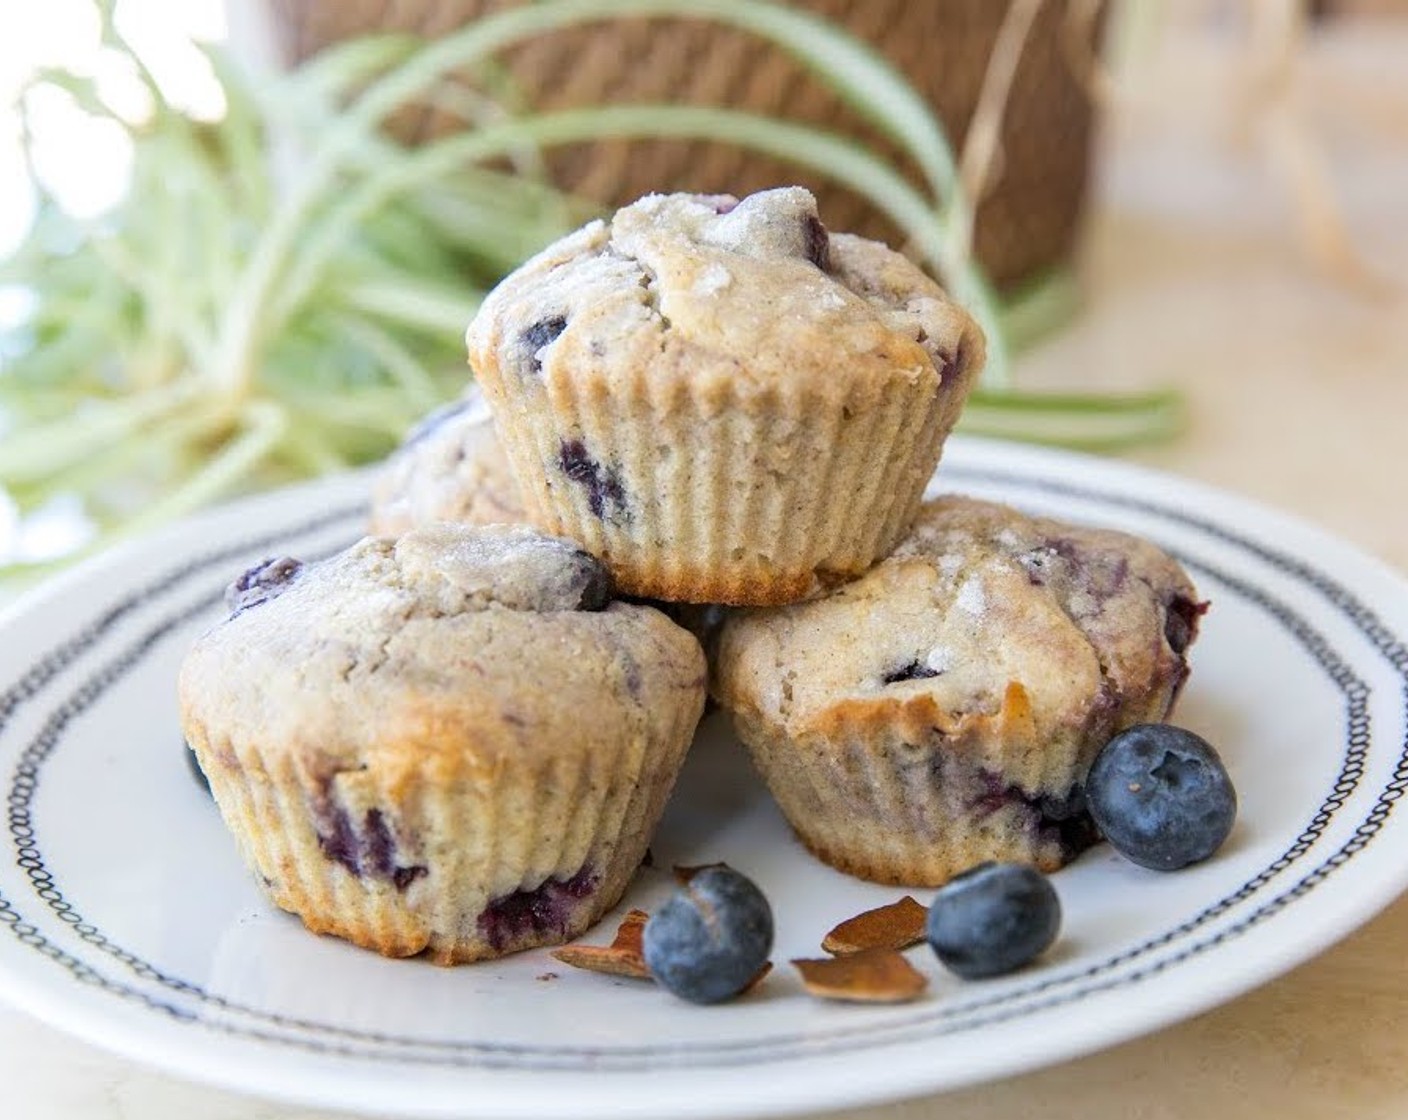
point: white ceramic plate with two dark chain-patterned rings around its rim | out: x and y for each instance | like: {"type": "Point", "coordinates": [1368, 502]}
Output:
{"type": "Point", "coordinates": [127, 919]}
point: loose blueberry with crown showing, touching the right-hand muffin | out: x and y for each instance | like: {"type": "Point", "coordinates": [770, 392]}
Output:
{"type": "Point", "coordinates": [1162, 797]}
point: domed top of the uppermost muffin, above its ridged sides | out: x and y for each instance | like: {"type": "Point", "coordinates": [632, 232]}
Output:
{"type": "Point", "coordinates": [754, 294]}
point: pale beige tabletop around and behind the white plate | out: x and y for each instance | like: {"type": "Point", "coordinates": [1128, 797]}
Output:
{"type": "Point", "coordinates": [1300, 399]}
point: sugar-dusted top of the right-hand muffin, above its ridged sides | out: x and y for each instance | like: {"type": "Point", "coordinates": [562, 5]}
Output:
{"type": "Point", "coordinates": [981, 614]}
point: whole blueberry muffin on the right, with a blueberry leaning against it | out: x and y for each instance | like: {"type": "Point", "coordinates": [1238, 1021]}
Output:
{"type": "Point", "coordinates": [945, 708]}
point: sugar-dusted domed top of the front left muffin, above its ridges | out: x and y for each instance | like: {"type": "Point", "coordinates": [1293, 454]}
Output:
{"type": "Point", "coordinates": [444, 650]}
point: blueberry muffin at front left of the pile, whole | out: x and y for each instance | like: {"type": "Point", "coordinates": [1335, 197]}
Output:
{"type": "Point", "coordinates": [455, 743]}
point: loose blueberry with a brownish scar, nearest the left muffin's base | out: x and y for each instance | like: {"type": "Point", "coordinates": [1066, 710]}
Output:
{"type": "Point", "coordinates": [710, 940]}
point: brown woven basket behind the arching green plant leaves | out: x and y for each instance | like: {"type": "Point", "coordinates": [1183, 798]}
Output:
{"type": "Point", "coordinates": [1026, 222]}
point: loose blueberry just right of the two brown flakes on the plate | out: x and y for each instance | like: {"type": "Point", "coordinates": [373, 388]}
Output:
{"type": "Point", "coordinates": [993, 919]}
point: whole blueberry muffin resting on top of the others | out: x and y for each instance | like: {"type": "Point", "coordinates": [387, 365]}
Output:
{"type": "Point", "coordinates": [719, 398]}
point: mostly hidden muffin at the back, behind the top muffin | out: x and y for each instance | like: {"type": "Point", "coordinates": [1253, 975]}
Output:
{"type": "Point", "coordinates": [450, 468]}
